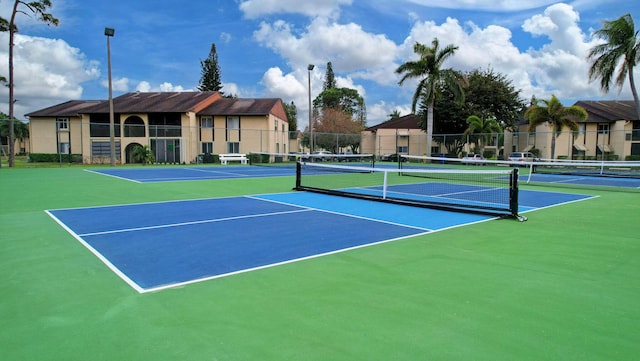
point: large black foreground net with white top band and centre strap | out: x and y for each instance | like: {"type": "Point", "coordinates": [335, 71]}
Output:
{"type": "Point", "coordinates": [493, 192]}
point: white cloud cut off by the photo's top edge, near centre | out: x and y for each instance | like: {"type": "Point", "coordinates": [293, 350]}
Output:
{"type": "Point", "coordinates": [326, 8]}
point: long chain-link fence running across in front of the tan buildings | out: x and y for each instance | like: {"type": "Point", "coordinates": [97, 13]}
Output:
{"type": "Point", "coordinates": [180, 144]}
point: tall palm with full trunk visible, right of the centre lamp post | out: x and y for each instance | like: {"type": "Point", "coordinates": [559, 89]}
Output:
{"type": "Point", "coordinates": [428, 68]}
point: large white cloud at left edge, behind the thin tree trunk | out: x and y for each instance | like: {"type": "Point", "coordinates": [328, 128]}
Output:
{"type": "Point", "coordinates": [46, 71]}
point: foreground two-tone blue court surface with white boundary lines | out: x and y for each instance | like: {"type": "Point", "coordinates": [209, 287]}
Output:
{"type": "Point", "coordinates": [153, 246]}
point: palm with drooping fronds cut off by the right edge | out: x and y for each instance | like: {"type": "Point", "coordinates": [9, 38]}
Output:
{"type": "Point", "coordinates": [622, 44]}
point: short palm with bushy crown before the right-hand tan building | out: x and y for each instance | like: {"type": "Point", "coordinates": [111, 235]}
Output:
{"type": "Point", "coordinates": [556, 115]}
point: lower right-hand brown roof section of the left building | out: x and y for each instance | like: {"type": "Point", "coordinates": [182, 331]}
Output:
{"type": "Point", "coordinates": [245, 106]}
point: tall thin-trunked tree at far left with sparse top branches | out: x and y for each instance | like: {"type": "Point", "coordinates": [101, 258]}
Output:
{"type": "Point", "coordinates": [39, 10]}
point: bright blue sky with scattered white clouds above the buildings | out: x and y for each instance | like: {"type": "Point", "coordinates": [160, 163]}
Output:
{"type": "Point", "coordinates": [264, 47]}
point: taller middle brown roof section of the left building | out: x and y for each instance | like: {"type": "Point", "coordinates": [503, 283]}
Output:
{"type": "Point", "coordinates": [158, 102]}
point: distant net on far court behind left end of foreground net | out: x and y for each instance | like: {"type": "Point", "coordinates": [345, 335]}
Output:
{"type": "Point", "coordinates": [290, 159]}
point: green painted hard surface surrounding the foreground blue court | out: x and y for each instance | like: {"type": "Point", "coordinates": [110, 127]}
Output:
{"type": "Point", "coordinates": [564, 285]}
